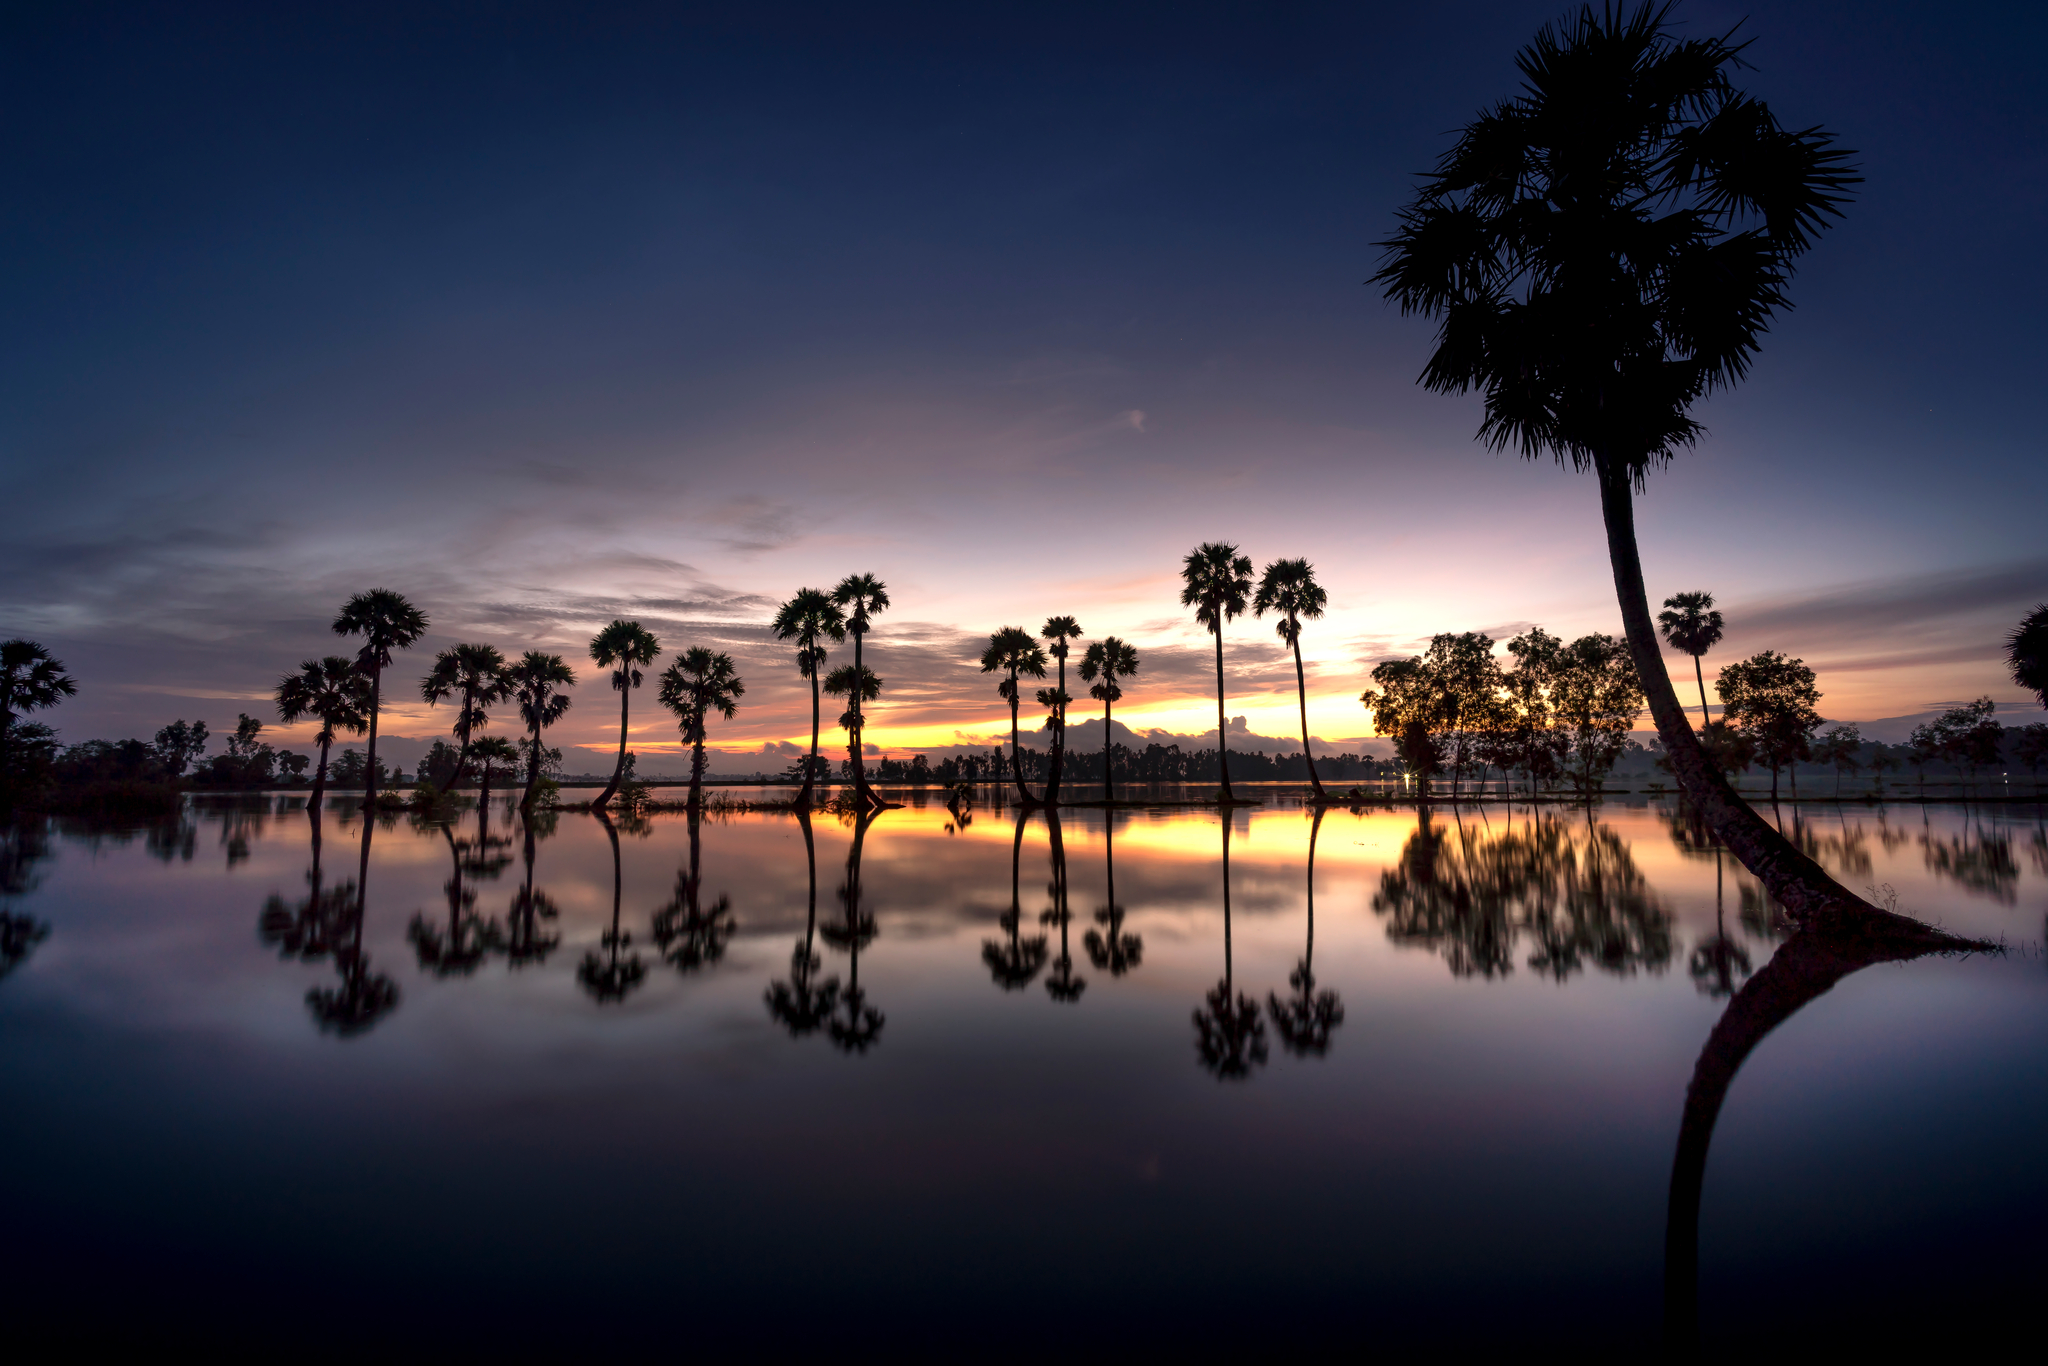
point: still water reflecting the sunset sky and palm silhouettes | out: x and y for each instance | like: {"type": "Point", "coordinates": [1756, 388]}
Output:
{"type": "Point", "coordinates": [998, 1086]}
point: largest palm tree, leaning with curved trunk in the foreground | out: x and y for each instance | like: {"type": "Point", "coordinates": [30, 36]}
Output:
{"type": "Point", "coordinates": [1603, 251]}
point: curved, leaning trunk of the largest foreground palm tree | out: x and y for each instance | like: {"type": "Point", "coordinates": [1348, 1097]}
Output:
{"type": "Point", "coordinates": [1799, 884]}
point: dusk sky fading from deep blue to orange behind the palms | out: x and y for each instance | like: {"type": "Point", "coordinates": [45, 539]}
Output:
{"type": "Point", "coordinates": [546, 316]}
